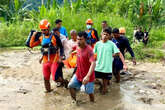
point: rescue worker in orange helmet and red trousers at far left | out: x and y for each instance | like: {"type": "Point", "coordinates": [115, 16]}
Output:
{"type": "Point", "coordinates": [50, 44]}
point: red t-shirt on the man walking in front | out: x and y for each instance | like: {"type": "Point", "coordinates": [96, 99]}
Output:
{"type": "Point", "coordinates": [84, 58]}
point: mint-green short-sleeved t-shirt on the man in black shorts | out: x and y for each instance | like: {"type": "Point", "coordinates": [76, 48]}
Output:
{"type": "Point", "coordinates": [104, 53]}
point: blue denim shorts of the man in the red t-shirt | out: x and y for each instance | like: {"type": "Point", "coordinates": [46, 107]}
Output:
{"type": "Point", "coordinates": [74, 83]}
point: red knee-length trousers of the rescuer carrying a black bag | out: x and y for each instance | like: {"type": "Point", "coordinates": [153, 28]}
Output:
{"type": "Point", "coordinates": [51, 68]}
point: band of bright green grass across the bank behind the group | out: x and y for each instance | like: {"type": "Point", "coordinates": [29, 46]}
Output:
{"type": "Point", "coordinates": [13, 35]}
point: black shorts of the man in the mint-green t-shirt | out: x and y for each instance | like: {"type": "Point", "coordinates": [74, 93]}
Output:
{"type": "Point", "coordinates": [102, 75]}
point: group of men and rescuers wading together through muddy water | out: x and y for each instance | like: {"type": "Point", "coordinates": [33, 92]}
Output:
{"type": "Point", "coordinates": [94, 58]}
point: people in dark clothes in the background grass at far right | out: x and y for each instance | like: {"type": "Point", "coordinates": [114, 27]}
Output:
{"type": "Point", "coordinates": [139, 35]}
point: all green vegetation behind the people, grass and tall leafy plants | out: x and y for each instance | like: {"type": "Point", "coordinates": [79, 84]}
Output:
{"type": "Point", "coordinates": [118, 13]}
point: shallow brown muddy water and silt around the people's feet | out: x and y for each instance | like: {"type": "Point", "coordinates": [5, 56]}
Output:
{"type": "Point", "coordinates": [21, 87]}
